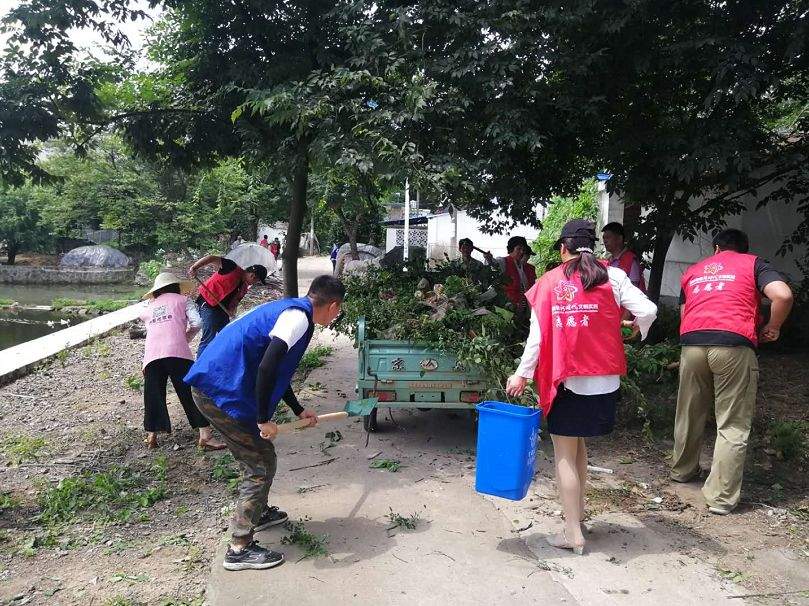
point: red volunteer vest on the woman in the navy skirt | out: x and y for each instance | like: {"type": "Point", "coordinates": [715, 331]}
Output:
{"type": "Point", "coordinates": [580, 332]}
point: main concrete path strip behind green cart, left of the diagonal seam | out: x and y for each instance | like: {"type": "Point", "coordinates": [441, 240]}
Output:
{"type": "Point", "coordinates": [462, 551]}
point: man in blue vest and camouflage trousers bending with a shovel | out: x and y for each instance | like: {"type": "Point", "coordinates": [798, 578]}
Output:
{"type": "Point", "coordinates": [237, 382]}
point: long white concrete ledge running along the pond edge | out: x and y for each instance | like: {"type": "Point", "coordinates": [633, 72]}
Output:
{"type": "Point", "coordinates": [21, 356]}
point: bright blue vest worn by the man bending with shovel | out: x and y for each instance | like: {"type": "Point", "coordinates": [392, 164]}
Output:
{"type": "Point", "coordinates": [226, 370]}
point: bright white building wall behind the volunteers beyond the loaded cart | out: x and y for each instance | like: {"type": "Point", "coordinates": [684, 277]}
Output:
{"type": "Point", "coordinates": [441, 236]}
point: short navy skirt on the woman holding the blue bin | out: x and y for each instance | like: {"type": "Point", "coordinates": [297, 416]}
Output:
{"type": "Point", "coordinates": [580, 416]}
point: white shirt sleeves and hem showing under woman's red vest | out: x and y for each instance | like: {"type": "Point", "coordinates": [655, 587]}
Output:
{"type": "Point", "coordinates": [628, 296]}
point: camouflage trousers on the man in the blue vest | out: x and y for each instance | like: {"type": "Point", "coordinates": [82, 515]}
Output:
{"type": "Point", "coordinates": [257, 459]}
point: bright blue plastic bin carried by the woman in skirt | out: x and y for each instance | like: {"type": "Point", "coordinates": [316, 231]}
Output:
{"type": "Point", "coordinates": [507, 448]}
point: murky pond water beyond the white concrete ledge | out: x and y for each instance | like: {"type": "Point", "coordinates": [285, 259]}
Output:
{"type": "Point", "coordinates": [20, 325]}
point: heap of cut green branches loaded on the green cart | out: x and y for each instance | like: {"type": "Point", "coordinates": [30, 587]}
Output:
{"type": "Point", "coordinates": [438, 307]}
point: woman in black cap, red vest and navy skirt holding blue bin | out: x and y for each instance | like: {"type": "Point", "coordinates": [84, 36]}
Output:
{"type": "Point", "coordinates": [575, 355]}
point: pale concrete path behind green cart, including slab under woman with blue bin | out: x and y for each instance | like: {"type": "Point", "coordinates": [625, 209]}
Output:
{"type": "Point", "coordinates": [467, 549]}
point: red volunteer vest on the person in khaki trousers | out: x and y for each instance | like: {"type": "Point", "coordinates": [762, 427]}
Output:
{"type": "Point", "coordinates": [721, 294]}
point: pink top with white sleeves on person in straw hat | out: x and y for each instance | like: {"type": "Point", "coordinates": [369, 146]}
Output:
{"type": "Point", "coordinates": [170, 324]}
